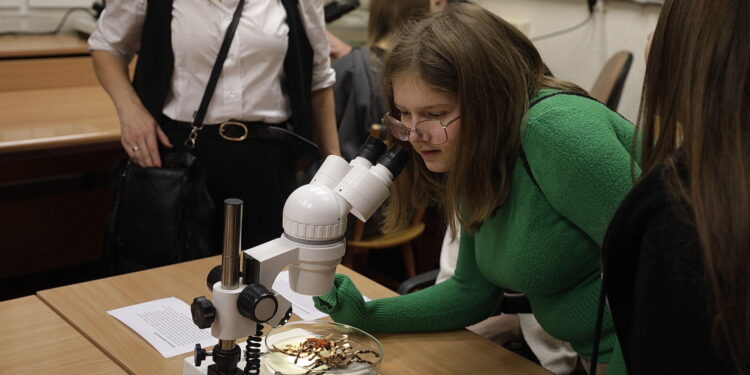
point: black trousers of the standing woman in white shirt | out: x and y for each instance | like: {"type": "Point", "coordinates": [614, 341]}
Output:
{"type": "Point", "coordinates": [259, 172]}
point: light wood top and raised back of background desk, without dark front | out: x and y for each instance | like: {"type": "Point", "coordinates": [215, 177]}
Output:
{"type": "Point", "coordinates": [49, 96]}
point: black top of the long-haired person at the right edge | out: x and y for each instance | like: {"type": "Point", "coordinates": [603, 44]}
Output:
{"type": "Point", "coordinates": [656, 288]}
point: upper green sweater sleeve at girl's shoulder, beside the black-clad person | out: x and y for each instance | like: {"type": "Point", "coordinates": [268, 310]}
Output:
{"type": "Point", "coordinates": [580, 154]}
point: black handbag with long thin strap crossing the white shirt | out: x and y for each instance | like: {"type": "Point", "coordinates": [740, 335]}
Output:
{"type": "Point", "coordinates": [164, 215]}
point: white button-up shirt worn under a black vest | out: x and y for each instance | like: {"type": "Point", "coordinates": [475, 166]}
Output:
{"type": "Point", "coordinates": [249, 87]}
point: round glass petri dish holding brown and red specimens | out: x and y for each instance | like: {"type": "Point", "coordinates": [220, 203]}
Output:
{"type": "Point", "coordinates": [292, 335]}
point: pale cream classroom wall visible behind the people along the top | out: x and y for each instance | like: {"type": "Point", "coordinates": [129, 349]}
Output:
{"type": "Point", "coordinates": [577, 56]}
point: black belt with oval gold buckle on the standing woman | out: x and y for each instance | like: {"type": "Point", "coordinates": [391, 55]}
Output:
{"type": "Point", "coordinates": [241, 131]}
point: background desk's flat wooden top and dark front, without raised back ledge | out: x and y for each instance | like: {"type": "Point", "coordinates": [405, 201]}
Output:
{"type": "Point", "coordinates": [58, 148]}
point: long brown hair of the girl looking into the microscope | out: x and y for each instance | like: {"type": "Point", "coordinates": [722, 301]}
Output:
{"type": "Point", "coordinates": [493, 70]}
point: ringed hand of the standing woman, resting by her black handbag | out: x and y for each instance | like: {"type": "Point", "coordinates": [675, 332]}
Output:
{"type": "Point", "coordinates": [138, 135]}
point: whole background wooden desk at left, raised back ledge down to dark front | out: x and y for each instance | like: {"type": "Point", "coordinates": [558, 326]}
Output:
{"type": "Point", "coordinates": [59, 145]}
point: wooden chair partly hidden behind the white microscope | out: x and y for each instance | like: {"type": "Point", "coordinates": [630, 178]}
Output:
{"type": "Point", "coordinates": [357, 244]}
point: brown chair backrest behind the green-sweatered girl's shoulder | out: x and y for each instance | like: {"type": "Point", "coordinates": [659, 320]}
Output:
{"type": "Point", "coordinates": [611, 80]}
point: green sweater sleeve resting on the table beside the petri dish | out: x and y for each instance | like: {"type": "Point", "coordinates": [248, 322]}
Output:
{"type": "Point", "coordinates": [464, 299]}
